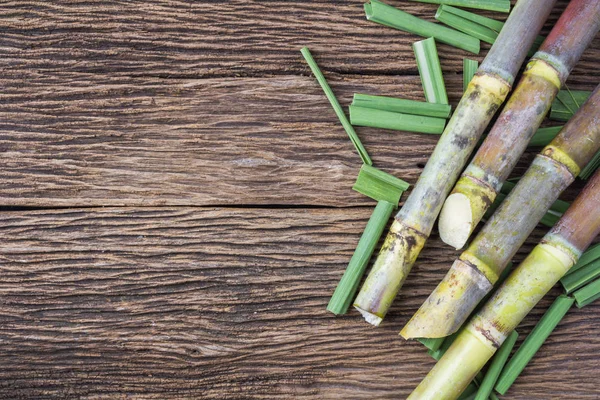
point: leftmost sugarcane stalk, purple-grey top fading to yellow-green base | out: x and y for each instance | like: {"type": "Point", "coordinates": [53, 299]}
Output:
{"type": "Point", "coordinates": [484, 95]}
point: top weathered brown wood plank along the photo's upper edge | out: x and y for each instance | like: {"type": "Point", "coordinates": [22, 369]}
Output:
{"type": "Point", "coordinates": [190, 39]}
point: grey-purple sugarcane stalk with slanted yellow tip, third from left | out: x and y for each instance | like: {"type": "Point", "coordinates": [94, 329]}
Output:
{"type": "Point", "coordinates": [476, 270]}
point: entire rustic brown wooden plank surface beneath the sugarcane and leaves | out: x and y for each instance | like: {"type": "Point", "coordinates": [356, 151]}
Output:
{"type": "Point", "coordinates": [176, 204]}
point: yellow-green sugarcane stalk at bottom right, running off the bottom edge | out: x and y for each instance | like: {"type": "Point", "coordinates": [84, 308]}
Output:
{"type": "Point", "coordinates": [524, 288]}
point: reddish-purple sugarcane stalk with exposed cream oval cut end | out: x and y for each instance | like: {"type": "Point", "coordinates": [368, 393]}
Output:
{"type": "Point", "coordinates": [547, 71]}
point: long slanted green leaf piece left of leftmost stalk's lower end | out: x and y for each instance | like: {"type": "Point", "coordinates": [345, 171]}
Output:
{"type": "Point", "coordinates": [346, 289]}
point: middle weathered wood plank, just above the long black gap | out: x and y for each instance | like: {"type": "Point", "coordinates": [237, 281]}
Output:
{"type": "Point", "coordinates": [80, 140]}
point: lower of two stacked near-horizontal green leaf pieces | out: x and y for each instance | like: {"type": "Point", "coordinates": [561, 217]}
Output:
{"type": "Point", "coordinates": [361, 116]}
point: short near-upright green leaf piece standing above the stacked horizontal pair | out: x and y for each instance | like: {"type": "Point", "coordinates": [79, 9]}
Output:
{"type": "Point", "coordinates": [430, 71]}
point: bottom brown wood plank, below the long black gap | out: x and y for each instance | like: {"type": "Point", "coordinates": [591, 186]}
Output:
{"type": "Point", "coordinates": [223, 303]}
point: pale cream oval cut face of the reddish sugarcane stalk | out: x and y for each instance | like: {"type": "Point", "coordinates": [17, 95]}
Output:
{"type": "Point", "coordinates": [456, 220]}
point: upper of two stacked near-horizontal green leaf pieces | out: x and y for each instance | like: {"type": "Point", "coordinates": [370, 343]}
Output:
{"type": "Point", "coordinates": [402, 105]}
